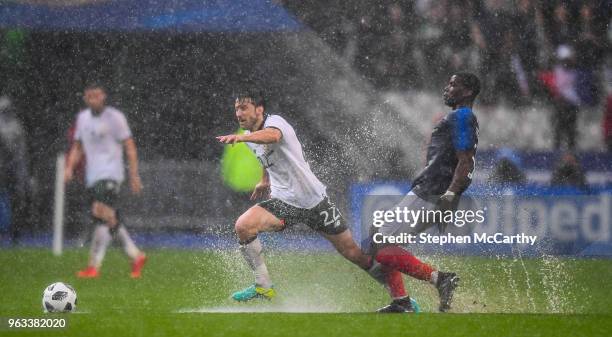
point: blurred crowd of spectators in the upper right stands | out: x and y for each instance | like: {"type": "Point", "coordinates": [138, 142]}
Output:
{"type": "Point", "coordinates": [558, 51]}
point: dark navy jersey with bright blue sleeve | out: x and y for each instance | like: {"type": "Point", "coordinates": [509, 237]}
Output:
{"type": "Point", "coordinates": [457, 131]}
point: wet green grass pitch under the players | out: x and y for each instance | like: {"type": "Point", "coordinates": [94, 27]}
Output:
{"type": "Point", "coordinates": [185, 292]}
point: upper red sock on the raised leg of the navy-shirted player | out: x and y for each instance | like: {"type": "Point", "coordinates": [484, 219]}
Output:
{"type": "Point", "coordinates": [398, 258]}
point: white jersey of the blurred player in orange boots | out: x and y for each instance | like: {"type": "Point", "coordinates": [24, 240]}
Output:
{"type": "Point", "coordinates": [102, 139]}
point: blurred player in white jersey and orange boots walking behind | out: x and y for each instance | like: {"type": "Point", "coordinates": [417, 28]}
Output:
{"type": "Point", "coordinates": [102, 134]}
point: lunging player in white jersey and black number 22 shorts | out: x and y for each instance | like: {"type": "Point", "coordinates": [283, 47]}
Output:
{"type": "Point", "coordinates": [295, 196]}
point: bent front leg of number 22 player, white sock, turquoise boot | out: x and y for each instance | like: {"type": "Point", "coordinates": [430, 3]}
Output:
{"type": "Point", "coordinates": [255, 220]}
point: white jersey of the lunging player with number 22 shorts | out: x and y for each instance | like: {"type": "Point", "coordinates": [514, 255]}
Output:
{"type": "Point", "coordinates": [291, 179]}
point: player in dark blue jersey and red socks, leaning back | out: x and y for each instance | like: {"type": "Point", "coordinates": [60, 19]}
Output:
{"type": "Point", "coordinates": [447, 174]}
